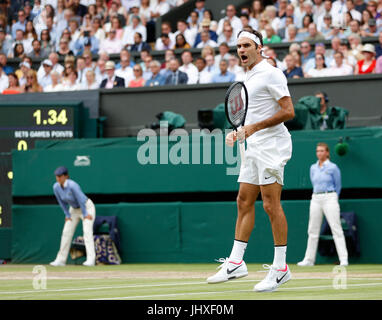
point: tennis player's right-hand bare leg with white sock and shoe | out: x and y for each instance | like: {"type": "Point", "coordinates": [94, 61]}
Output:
{"type": "Point", "coordinates": [279, 271]}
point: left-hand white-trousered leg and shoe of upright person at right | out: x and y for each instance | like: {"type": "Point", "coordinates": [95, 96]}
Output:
{"type": "Point", "coordinates": [314, 227]}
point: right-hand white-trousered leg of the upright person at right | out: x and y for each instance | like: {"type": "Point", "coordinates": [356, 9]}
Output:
{"type": "Point", "coordinates": [332, 213]}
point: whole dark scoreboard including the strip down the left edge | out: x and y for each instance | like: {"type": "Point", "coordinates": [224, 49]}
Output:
{"type": "Point", "coordinates": [21, 124]}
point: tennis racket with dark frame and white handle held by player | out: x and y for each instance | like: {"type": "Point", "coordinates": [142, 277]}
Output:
{"type": "Point", "coordinates": [236, 106]}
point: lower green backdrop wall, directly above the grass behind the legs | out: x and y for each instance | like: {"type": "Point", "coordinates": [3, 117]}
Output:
{"type": "Point", "coordinates": [188, 232]}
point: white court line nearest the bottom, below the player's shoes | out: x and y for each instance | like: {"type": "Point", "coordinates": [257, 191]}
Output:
{"type": "Point", "coordinates": [228, 291]}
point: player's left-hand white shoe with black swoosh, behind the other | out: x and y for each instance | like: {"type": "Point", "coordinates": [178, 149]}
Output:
{"type": "Point", "coordinates": [228, 270]}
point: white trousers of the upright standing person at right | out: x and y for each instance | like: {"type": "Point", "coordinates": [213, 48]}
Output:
{"type": "Point", "coordinates": [325, 204]}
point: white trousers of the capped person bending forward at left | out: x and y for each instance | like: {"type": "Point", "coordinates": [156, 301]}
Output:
{"type": "Point", "coordinates": [69, 229]}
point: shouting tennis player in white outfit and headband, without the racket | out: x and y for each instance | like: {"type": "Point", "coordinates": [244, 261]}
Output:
{"type": "Point", "coordinates": [269, 147]}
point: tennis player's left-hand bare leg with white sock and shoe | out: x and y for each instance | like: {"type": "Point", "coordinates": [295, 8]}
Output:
{"type": "Point", "coordinates": [234, 266]}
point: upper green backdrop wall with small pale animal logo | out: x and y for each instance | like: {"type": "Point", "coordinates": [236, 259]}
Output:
{"type": "Point", "coordinates": [113, 167]}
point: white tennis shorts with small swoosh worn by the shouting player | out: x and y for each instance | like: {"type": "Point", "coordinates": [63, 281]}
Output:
{"type": "Point", "coordinates": [265, 161]}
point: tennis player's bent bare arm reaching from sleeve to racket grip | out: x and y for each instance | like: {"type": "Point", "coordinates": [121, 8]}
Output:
{"type": "Point", "coordinates": [285, 113]}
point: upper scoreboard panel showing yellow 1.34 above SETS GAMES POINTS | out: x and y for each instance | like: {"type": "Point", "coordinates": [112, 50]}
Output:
{"type": "Point", "coordinates": [20, 126]}
